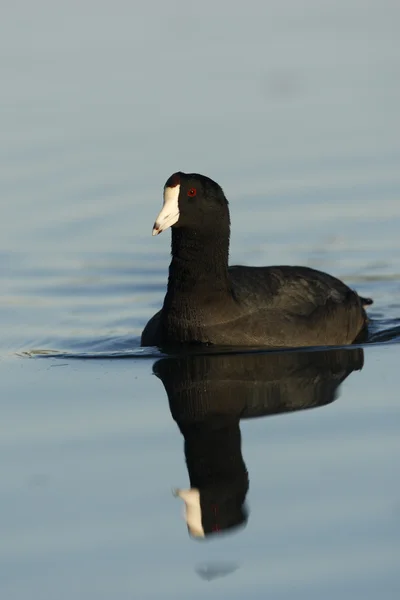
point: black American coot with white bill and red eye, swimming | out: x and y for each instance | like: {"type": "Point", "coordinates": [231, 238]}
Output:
{"type": "Point", "coordinates": [208, 302]}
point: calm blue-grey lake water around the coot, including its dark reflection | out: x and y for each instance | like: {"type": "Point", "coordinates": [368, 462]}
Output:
{"type": "Point", "coordinates": [294, 109]}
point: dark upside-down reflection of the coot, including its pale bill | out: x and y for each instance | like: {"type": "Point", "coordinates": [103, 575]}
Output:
{"type": "Point", "coordinates": [209, 395]}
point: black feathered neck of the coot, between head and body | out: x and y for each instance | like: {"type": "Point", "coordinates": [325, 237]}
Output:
{"type": "Point", "coordinates": [199, 263]}
